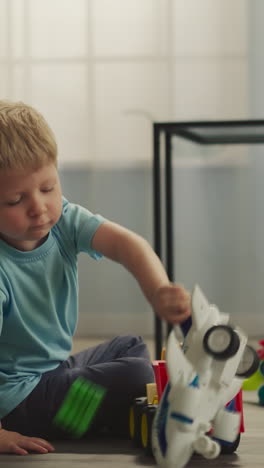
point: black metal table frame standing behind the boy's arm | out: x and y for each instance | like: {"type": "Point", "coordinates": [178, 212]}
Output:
{"type": "Point", "coordinates": [205, 133]}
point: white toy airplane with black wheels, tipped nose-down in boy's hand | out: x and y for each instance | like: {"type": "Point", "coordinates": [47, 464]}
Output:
{"type": "Point", "coordinates": [204, 375]}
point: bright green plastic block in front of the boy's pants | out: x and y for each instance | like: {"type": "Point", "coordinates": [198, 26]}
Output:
{"type": "Point", "coordinates": [79, 407]}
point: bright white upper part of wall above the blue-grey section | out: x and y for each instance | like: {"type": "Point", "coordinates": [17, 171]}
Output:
{"type": "Point", "coordinates": [101, 70]}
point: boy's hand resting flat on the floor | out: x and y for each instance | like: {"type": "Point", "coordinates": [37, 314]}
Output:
{"type": "Point", "coordinates": [13, 442]}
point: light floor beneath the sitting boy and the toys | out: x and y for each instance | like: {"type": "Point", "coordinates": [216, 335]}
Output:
{"type": "Point", "coordinates": [120, 453]}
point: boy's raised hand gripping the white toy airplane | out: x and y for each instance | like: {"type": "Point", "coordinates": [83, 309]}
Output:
{"type": "Point", "coordinates": [172, 303]}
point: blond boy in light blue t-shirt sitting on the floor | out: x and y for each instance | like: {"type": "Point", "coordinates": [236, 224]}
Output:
{"type": "Point", "coordinates": [41, 234]}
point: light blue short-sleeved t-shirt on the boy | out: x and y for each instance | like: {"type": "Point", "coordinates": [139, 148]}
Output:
{"type": "Point", "coordinates": [39, 303]}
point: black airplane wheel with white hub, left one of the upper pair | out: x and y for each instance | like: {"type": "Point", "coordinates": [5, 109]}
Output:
{"type": "Point", "coordinates": [228, 342]}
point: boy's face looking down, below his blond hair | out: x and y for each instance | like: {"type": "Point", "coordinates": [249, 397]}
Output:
{"type": "Point", "coordinates": [30, 204]}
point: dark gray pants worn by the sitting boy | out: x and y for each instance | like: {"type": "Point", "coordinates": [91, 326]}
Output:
{"type": "Point", "coordinates": [121, 365]}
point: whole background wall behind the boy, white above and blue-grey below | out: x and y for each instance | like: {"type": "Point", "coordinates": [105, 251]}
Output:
{"type": "Point", "coordinates": [101, 71]}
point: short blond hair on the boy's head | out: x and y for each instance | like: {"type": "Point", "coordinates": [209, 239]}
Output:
{"type": "Point", "coordinates": [26, 140]}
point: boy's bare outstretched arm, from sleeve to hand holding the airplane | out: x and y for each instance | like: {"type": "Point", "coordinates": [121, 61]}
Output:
{"type": "Point", "coordinates": [170, 301]}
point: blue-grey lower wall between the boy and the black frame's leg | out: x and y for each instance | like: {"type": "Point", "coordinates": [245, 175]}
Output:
{"type": "Point", "coordinates": [110, 299]}
